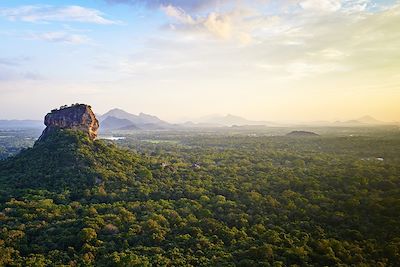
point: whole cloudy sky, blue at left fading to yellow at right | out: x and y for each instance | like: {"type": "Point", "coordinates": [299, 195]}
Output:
{"type": "Point", "coordinates": [287, 60]}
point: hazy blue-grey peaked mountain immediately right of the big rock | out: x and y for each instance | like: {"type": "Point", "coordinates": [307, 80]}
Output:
{"type": "Point", "coordinates": [118, 119]}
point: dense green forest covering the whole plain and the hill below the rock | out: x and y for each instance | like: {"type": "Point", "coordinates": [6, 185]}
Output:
{"type": "Point", "coordinates": [202, 199]}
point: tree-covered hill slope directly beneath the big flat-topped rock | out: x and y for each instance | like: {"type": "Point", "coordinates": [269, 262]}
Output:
{"type": "Point", "coordinates": [66, 161]}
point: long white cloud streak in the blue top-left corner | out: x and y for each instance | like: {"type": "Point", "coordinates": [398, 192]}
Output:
{"type": "Point", "coordinates": [45, 13]}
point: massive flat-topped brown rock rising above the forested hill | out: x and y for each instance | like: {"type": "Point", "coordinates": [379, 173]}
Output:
{"type": "Point", "coordinates": [76, 117]}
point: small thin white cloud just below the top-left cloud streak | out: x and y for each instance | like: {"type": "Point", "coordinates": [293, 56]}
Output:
{"type": "Point", "coordinates": [60, 37]}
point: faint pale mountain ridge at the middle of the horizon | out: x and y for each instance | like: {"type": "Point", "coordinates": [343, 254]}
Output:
{"type": "Point", "coordinates": [230, 120]}
